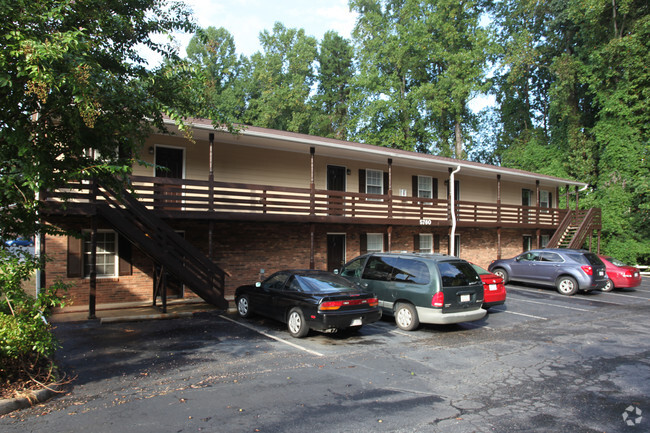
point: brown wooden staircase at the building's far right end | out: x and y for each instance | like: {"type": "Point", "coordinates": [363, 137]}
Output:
{"type": "Point", "coordinates": [575, 227]}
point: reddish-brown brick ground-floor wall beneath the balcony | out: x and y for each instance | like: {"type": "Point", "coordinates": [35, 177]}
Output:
{"type": "Point", "coordinates": [242, 249]}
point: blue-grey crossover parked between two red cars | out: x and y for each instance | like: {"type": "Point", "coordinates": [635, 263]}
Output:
{"type": "Point", "coordinates": [567, 270]}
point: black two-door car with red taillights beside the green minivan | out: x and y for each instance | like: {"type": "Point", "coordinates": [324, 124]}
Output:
{"type": "Point", "coordinates": [308, 299]}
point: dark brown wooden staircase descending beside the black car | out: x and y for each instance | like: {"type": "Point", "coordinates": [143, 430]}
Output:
{"type": "Point", "coordinates": [168, 249]}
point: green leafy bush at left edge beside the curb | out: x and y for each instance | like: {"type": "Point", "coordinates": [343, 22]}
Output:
{"type": "Point", "coordinates": [26, 341]}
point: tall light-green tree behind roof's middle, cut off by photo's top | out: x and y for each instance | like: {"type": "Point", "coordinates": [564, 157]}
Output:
{"type": "Point", "coordinates": [420, 62]}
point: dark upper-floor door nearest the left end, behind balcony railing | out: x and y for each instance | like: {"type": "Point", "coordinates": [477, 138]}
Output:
{"type": "Point", "coordinates": [169, 165]}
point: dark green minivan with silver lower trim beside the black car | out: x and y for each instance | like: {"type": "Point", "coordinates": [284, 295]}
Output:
{"type": "Point", "coordinates": [420, 288]}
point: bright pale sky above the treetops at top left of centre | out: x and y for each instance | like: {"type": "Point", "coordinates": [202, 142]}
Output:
{"type": "Point", "coordinates": [245, 19]}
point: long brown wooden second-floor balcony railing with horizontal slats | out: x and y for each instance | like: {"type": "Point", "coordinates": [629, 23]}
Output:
{"type": "Point", "coordinates": [186, 198]}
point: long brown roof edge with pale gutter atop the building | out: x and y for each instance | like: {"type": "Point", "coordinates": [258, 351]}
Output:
{"type": "Point", "coordinates": [369, 152]}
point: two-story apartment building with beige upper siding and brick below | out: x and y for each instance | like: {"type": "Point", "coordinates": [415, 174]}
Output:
{"type": "Point", "coordinates": [264, 200]}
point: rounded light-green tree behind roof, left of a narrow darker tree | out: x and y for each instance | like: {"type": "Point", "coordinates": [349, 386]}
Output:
{"type": "Point", "coordinates": [282, 77]}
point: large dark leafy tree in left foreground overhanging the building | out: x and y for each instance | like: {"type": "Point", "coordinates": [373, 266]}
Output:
{"type": "Point", "coordinates": [71, 79]}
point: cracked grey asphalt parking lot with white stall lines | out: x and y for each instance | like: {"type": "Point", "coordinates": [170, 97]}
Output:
{"type": "Point", "coordinates": [542, 362]}
